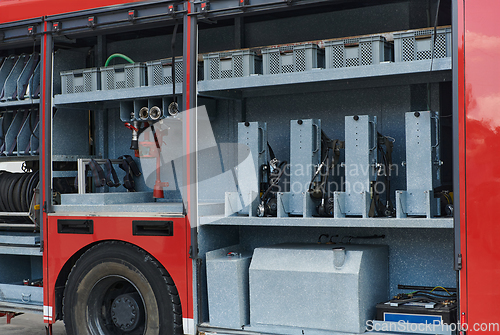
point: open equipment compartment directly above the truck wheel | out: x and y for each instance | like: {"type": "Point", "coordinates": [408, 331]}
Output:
{"type": "Point", "coordinates": [109, 165]}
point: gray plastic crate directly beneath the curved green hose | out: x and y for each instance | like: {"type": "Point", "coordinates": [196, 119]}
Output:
{"type": "Point", "coordinates": [123, 76]}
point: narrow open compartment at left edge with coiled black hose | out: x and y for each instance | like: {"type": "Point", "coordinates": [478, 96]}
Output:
{"type": "Point", "coordinates": [20, 286]}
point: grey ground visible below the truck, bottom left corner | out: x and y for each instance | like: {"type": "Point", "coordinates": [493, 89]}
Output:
{"type": "Point", "coordinates": [28, 324]}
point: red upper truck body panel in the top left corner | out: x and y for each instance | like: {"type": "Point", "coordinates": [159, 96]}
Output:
{"type": "Point", "coordinates": [15, 10]}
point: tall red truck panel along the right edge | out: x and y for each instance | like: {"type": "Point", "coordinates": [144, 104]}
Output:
{"type": "Point", "coordinates": [482, 161]}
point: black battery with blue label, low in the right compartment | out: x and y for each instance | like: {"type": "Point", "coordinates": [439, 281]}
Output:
{"type": "Point", "coordinates": [418, 312]}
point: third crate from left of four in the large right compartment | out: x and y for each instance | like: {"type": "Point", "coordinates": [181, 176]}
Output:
{"type": "Point", "coordinates": [357, 52]}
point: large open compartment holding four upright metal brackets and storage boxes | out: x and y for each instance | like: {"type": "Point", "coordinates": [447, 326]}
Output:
{"type": "Point", "coordinates": [382, 114]}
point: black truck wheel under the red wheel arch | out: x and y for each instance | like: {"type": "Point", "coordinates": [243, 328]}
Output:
{"type": "Point", "coordinates": [117, 288]}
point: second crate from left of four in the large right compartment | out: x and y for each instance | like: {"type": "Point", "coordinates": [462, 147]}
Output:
{"type": "Point", "coordinates": [292, 58]}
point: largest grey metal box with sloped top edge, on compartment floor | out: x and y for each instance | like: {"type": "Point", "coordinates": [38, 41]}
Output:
{"type": "Point", "coordinates": [322, 287]}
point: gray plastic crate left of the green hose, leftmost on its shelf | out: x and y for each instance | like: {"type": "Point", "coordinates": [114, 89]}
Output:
{"type": "Point", "coordinates": [79, 81]}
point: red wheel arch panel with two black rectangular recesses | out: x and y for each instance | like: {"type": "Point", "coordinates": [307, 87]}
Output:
{"type": "Point", "coordinates": [171, 251]}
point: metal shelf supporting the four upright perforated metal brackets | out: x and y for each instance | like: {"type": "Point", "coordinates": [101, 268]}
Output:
{"type": "Point", "coordinates": [328, 222]}
